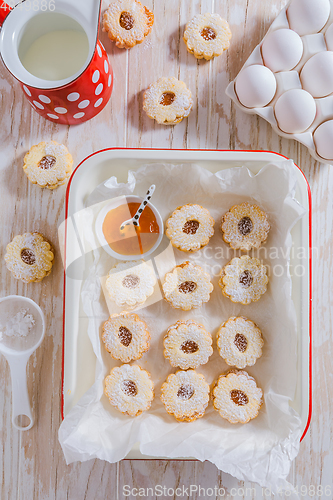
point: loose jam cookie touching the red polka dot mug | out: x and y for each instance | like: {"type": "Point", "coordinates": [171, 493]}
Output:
{"type": "Point", "coordinates": [127, 22]}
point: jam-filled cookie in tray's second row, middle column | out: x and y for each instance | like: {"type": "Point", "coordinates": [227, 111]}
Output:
{"type": "Point", "coordinates": [187, 286]}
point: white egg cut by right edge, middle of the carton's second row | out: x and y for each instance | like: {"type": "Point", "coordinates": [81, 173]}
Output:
{"type": "Point", "coordinates": [317, 74]}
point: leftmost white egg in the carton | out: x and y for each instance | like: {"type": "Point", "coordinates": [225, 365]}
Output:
{"type": "Point", "coordinates": [255, 86]}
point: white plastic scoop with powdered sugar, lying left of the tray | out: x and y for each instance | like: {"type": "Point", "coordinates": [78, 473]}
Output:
{"type": "Point", "coordinates": [17, 350]}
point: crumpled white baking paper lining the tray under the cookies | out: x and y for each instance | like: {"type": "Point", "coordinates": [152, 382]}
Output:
{"type": "Point", "coordinates": [261, 450]}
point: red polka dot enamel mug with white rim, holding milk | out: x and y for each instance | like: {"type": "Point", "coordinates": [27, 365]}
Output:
{"type": "Point", "coordinates": [51, 47]}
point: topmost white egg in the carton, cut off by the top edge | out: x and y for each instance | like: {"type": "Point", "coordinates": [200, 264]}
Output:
{"type": "Point", "coordinates": [308, 16]}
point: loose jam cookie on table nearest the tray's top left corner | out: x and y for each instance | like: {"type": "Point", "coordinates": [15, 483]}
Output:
{"type": "Point", "coordinates": [48, 164]}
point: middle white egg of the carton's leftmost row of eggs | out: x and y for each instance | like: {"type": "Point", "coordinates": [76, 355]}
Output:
{"type": "Point", "coordinates": [282, 50]}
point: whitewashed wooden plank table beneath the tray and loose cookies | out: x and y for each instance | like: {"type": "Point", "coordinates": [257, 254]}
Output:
{"type": "Point", "coordinates": [32, 463]}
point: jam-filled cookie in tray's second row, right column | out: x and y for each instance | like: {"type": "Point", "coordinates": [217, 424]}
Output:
{"type": "Point", "coordinates": [244, 280]}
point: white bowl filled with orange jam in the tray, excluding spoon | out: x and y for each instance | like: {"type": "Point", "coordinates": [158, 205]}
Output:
{"type": "Point", "coordinates": [130, 243]}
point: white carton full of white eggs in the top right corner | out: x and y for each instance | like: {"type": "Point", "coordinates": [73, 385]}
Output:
{"type": "Point", "coordinates": [306, 113]}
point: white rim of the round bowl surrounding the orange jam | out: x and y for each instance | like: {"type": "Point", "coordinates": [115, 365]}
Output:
{"type": "Point", "coordinates": [114, 204]}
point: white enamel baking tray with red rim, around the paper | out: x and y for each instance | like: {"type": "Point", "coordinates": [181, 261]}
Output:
{"type": "Point", "coordinates": [78, 357]}
